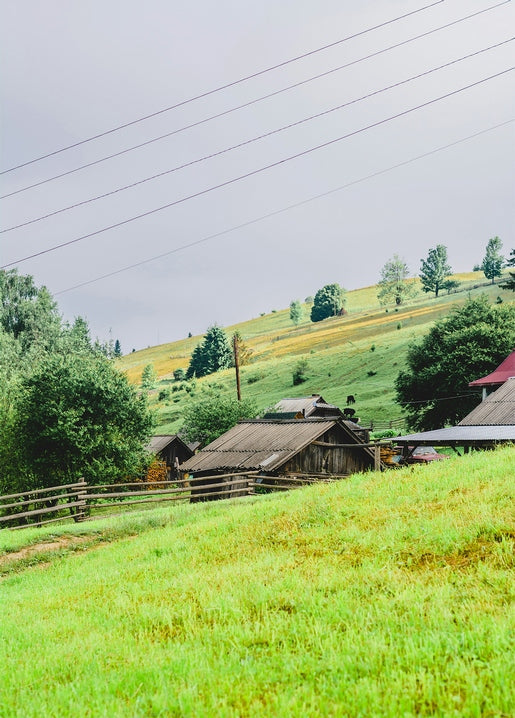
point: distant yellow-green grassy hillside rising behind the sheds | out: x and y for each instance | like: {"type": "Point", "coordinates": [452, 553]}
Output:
{"type": "Point", "coordinates": [360, 354]}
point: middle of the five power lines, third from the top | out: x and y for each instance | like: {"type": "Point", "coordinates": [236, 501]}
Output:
{"type": "Point", "coordinates": [252, 140]}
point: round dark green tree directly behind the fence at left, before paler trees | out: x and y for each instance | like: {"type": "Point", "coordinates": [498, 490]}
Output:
{"type": "Point", "coordinates": [76, 415]}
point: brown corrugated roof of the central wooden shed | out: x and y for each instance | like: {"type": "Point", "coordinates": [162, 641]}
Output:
{"type": "Point", "coordinates": [261, 444]}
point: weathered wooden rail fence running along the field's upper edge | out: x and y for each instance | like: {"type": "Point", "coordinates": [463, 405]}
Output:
{"type": "Point", "coordinates": [81, 501]}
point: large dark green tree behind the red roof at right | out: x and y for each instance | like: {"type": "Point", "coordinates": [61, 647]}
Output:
{"type": "Point", "coordinates": [466, 345]}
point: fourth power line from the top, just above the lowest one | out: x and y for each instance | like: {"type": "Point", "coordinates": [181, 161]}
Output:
{"type": "Point", "coordinates": [256, 171]}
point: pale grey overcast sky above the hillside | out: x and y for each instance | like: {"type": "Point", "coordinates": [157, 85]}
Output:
{"type": "Point", "coordinates": [370, 162]}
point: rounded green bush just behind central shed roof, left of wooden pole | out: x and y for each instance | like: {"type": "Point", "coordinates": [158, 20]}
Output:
{"type": "Point", "coordinates": [208, 419]}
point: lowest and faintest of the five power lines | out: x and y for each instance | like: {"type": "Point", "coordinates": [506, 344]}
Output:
{"type": "Point", "coordinates": [281, 211]}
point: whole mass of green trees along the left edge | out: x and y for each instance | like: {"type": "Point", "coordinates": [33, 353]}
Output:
{"type": "Point", "coordinates": [65, 410]}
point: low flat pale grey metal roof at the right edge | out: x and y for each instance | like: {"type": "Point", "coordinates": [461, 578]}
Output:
{"type": "Point", "coordinates": [459, 436]}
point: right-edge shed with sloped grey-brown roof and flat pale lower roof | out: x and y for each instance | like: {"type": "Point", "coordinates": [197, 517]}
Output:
{"type": "Point", "coordinates": [490, 423]}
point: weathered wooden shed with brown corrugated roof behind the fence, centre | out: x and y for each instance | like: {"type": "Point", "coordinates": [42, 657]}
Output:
{"type": "Point", "coordinates": [316, 447]}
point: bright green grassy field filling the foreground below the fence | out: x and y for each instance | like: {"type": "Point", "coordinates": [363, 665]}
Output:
{"type": "Point", "coordinates": [381, 595]}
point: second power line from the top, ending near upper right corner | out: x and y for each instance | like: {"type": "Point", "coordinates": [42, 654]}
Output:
{"type": "Point", "coordinates": [250, 102]}
